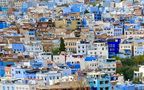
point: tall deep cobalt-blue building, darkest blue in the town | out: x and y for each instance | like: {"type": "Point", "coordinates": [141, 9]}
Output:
{"type": "Point", "coordinates": [113, 46]}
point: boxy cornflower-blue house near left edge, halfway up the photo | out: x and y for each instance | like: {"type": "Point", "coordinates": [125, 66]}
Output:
{"type": "Point", "coordinates": [18, 47]}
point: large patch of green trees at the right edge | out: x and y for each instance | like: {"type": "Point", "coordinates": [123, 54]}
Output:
{"type": "Point", "coordinates": [129, 66]}
